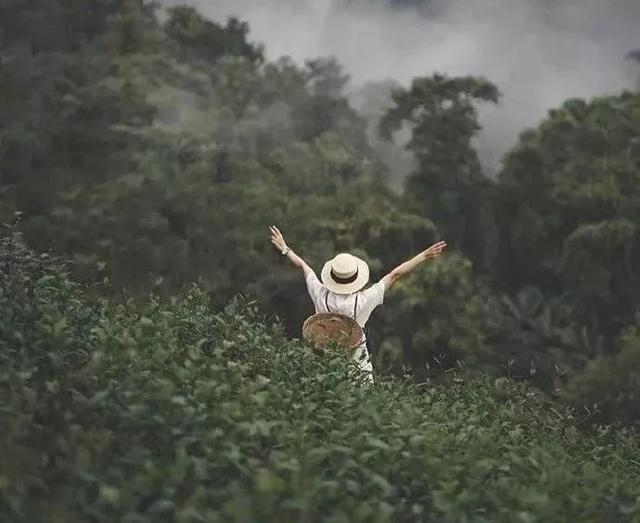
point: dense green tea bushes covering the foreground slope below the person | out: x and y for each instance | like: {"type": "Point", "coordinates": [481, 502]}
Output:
{"type": "Point", "coordinates": [121, 411]}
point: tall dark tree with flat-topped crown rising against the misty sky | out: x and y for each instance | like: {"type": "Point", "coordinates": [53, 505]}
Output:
{"type": "Point", "coordinates": [448, 186]}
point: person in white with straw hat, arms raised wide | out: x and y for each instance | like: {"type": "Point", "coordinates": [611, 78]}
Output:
{"type": "Point", "coordinates": [343, 280]}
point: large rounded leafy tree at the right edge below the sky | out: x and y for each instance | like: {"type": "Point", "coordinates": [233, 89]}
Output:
{"type": "Point", "coordinates": [568, 208]}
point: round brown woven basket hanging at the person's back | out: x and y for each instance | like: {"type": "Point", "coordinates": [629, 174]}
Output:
{"type": "Point", "coordinates": [327, 328]}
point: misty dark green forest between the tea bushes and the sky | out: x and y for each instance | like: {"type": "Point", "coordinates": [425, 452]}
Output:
{"type": "Point", "coordinates": [153, 151]}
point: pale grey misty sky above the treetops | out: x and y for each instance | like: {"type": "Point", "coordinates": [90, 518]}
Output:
{"type": "Point", "coordinates": [538, 52]}
